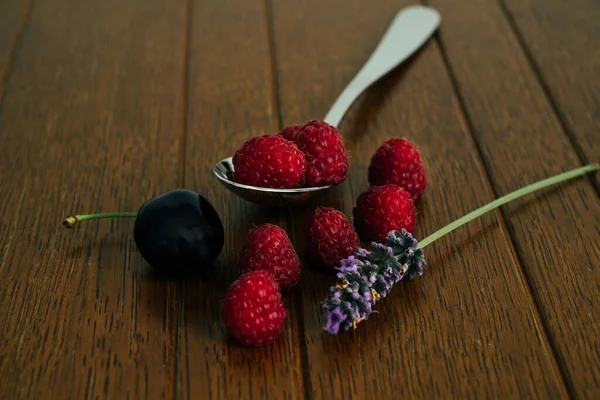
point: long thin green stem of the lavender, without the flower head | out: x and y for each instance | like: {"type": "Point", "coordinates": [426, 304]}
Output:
{"type": "Point", "coordinates": [505, 199]}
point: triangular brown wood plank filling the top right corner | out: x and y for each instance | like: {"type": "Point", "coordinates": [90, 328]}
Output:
{"type": "Point", "coordinates": [563, 40]}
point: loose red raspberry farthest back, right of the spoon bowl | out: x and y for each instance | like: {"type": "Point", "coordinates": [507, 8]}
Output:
{"type": "Point", "coordinates": [398, 161]}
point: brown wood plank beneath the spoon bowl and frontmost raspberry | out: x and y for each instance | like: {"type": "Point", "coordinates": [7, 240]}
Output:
{"type": "Point", "coordinates": [230, 101]}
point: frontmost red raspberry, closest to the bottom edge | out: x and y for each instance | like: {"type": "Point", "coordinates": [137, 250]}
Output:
{"type": "Point", "coordinates": [253, 311]}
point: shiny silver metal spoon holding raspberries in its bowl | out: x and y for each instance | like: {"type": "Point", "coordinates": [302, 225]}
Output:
{"type": "Point", "coordinates": [409, 30]}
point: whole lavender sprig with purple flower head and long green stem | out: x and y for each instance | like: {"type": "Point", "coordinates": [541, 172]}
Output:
{"type": "Point", "coordinates": [368, 276]}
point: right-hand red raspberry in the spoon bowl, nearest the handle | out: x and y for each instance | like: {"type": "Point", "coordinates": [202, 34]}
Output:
{"type": "Point", "coordinates": [326, 157]}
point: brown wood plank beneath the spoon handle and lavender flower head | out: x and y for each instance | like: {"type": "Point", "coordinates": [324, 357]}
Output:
{"type": "Point", "coordinates": [467, 328]}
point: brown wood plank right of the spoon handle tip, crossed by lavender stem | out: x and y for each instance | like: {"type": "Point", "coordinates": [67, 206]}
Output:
{"type": "Point", "coordinates": [557, 235]}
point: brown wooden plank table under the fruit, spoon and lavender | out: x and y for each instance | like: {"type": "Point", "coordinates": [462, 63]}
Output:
{"type": "Point", "coordinates": [107, 103]}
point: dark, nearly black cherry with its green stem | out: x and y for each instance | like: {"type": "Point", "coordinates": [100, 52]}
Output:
{"type": "Point", "coordinates": [174, 232]}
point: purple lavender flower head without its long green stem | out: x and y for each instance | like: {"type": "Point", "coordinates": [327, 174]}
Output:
{"type": "Point", "coordinates": [367, 277]}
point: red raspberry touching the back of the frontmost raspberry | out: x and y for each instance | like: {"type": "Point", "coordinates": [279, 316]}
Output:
{"type": "Point", "coordinates": [268, 248]}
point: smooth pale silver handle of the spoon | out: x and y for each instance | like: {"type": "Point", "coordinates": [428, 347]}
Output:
{"type": "Point", "coordinates": [409, 30]}
